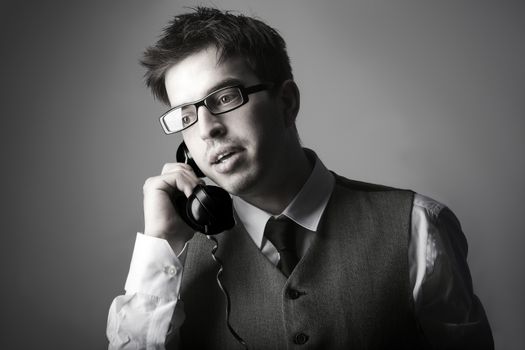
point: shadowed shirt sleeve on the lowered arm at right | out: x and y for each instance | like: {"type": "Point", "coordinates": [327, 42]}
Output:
{"type": "Point", "coordinates": [448, 311]}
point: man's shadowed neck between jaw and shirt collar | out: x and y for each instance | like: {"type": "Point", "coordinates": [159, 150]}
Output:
{"type": "Point", "coordinates": [276, 196]}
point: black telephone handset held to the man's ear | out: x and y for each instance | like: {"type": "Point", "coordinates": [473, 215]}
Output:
{"type": "Point", "coordinates": [209, 208]}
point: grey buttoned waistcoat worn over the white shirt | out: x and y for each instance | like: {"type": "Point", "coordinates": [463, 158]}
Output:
{"type": "Point", "coordinates": [353, 282]}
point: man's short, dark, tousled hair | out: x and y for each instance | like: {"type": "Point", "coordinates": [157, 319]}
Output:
{"type": "Point", "coordinates": [263, 49]}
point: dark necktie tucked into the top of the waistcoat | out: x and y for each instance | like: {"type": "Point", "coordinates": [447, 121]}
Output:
{"type": "Point", "coordinates": [282, 235]}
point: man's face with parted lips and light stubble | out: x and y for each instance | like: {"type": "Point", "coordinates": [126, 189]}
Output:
{"type": "Point", "coordinates": [238, 150]}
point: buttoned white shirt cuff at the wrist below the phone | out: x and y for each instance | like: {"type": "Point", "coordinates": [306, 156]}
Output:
{"type": "Point", "coordinates": [155, 269]}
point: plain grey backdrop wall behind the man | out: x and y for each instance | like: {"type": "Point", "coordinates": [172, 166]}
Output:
{"type": "Point", "coordinates": [415, 94]}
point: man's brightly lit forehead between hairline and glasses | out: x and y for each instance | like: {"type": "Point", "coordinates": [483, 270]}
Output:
{"type": "Point", "coordinates": [201, 73]}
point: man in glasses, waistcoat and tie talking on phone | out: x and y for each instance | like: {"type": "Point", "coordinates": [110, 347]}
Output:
{"type": "Point", "coordinates": [370, 267]}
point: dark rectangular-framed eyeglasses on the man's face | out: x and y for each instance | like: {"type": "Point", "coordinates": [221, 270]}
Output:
{"type": "Point", "coordinates": [218, 102]}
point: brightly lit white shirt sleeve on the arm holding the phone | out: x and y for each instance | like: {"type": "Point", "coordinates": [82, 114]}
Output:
{"type": "Point", "coordinates": [142, 317]}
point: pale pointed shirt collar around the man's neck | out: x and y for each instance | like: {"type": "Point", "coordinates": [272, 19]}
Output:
{"type": "Point", "coordinates": [305, 209]}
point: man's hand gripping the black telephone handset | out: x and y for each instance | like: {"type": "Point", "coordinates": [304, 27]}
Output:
{"type": "Point", "coordinates": [161, 219]}
